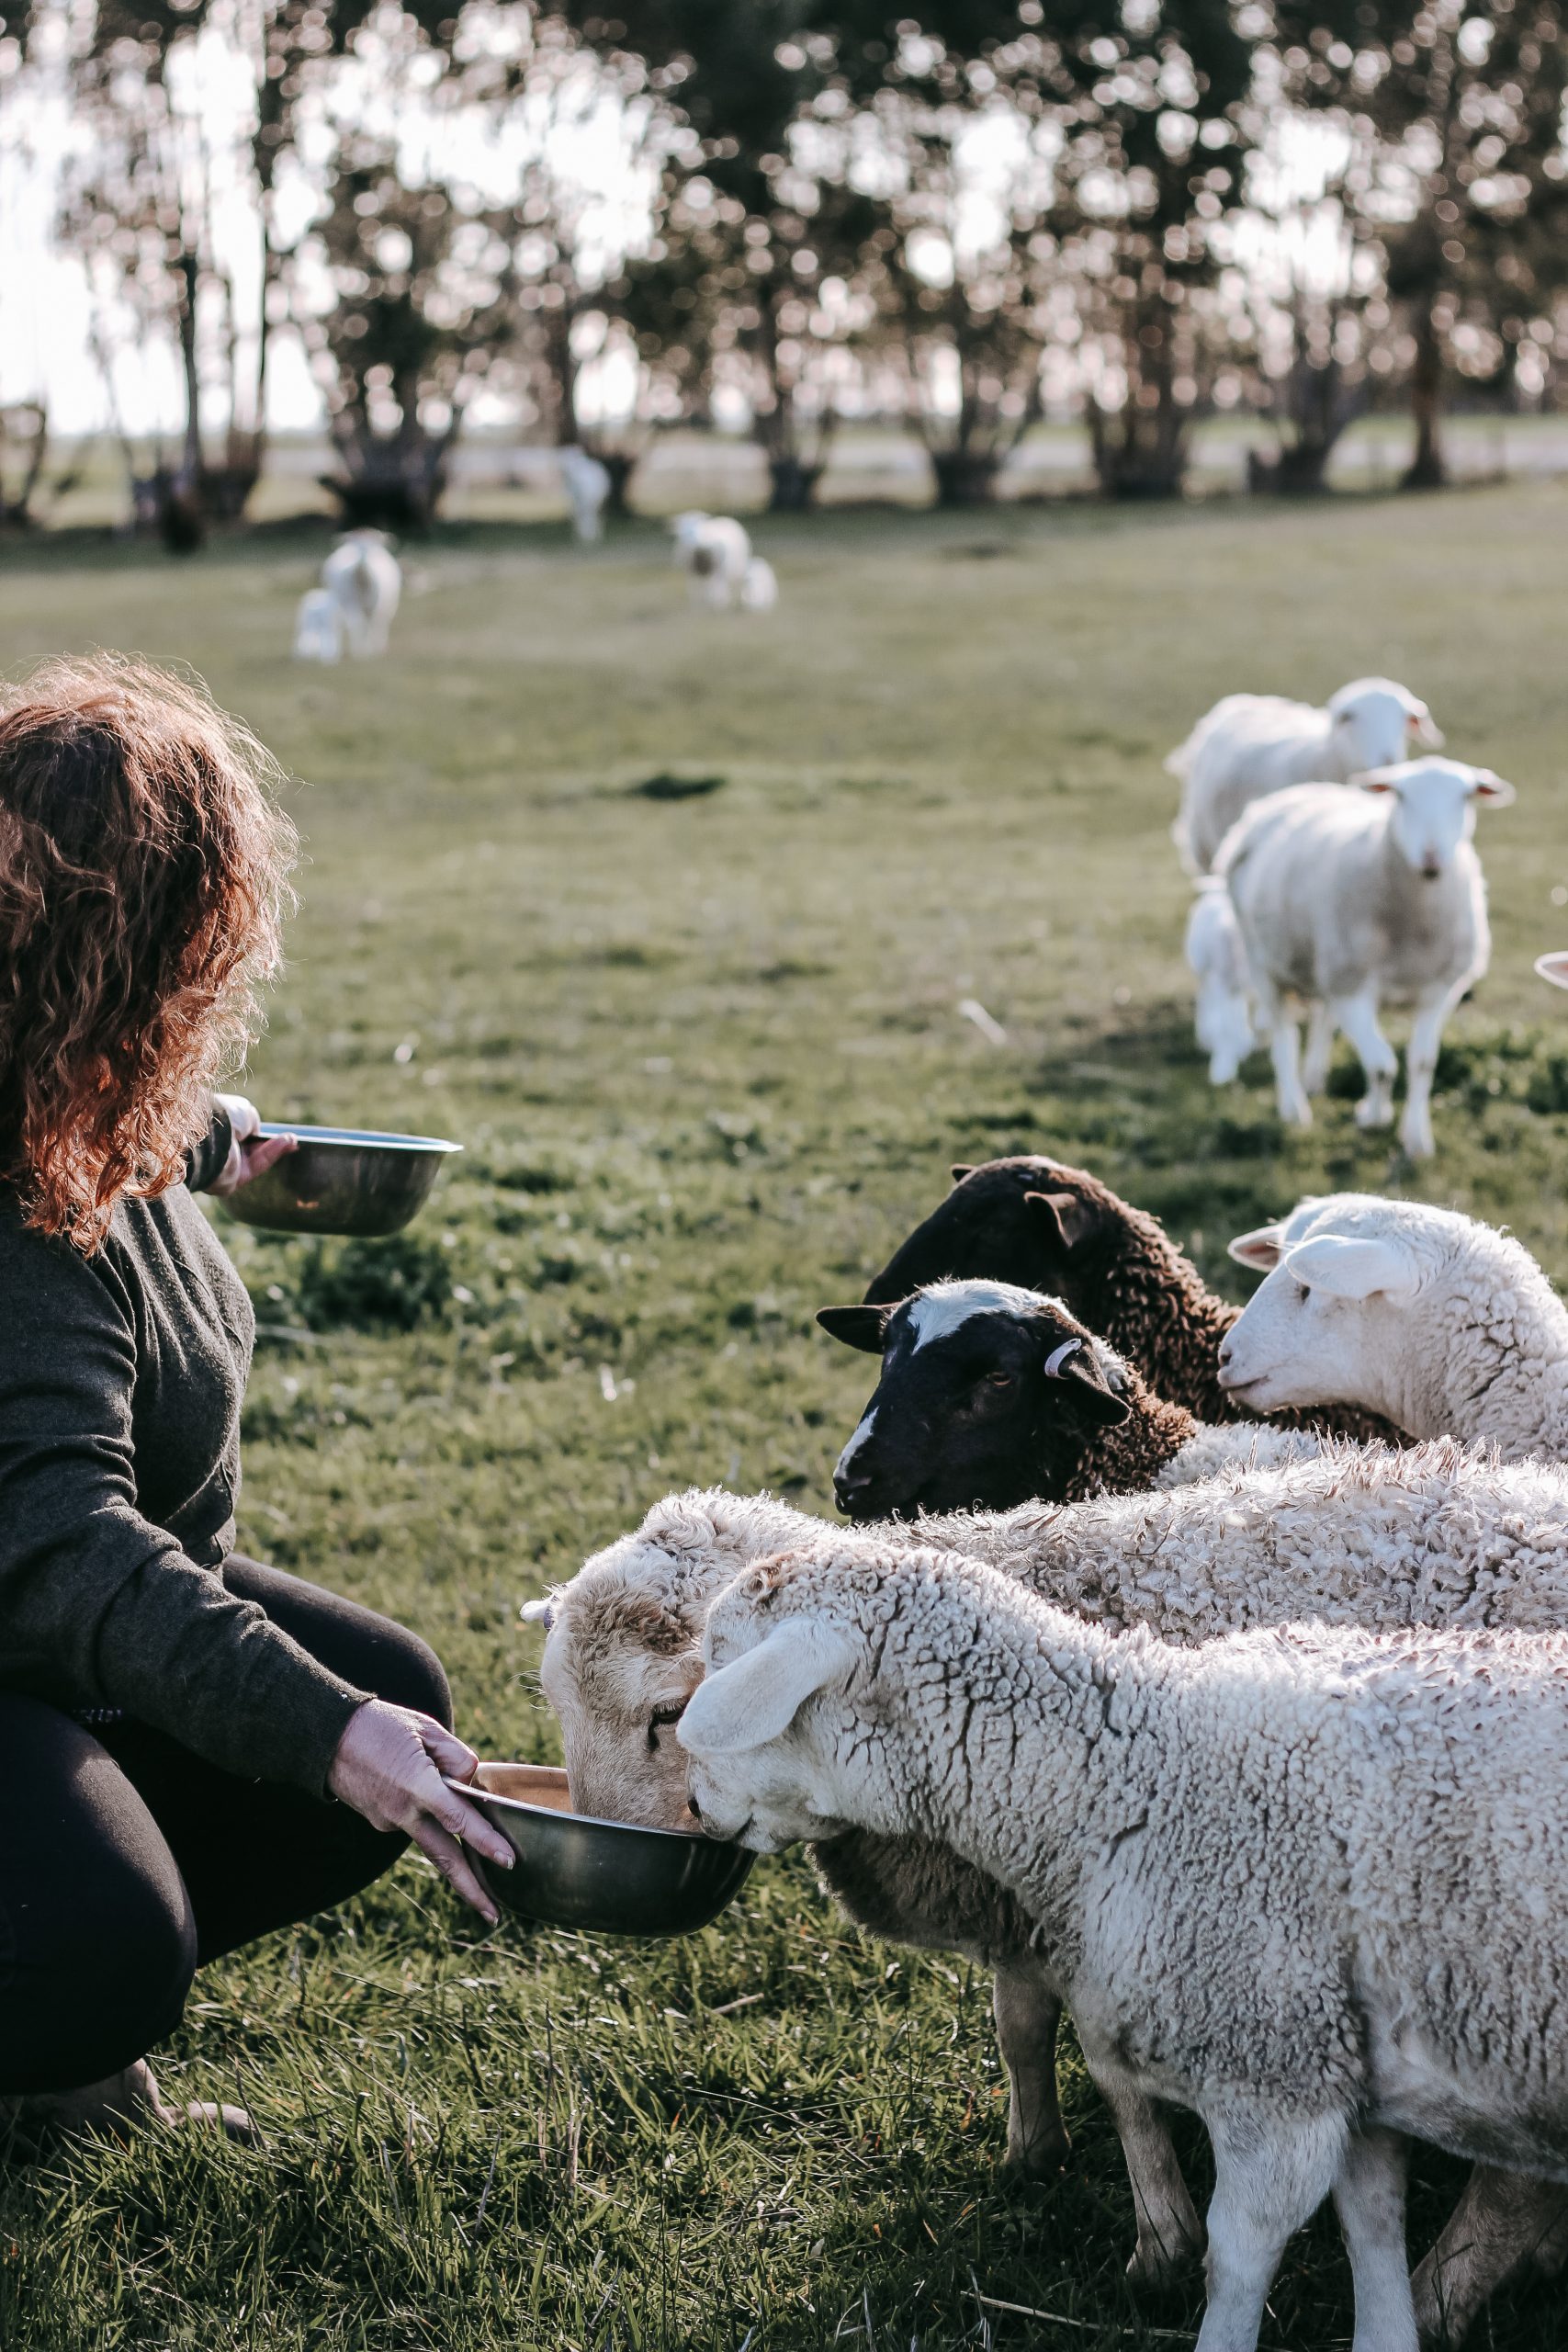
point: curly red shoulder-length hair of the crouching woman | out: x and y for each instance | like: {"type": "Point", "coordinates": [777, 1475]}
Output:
{"type": "Point", "coordinates": [142, 883]}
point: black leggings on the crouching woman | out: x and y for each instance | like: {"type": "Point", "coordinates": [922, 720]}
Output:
{"type": "Point", "coordinates": [126, 1862]}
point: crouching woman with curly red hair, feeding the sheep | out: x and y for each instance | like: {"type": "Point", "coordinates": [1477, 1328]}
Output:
{"type": "Point", "coordinates": [175, 1720]}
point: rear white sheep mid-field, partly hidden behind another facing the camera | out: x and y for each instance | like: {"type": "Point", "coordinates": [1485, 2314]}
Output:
{"type": "Point", "coordinates": [1259, 744]}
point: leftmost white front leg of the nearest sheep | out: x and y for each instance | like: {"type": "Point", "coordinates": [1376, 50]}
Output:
{"type": "Point", "coordinates": [1271, 2177]}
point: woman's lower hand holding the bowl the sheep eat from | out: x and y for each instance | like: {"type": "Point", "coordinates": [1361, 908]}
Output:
{"type": "Point", "coordinates": [391, 1765]}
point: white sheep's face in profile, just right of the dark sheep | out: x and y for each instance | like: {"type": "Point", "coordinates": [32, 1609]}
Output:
{"type": "Point", "coordinates": [1334, 1318]}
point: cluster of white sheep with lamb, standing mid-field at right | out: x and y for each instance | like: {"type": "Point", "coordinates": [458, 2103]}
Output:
{"type": "Point", "coordinates": [1334, 876]}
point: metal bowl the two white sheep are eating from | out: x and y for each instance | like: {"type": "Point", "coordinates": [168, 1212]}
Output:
{"type": "Point", "coordinates": [603, 1876]}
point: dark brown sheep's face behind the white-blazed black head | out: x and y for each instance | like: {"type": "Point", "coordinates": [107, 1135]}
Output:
{"type": "Point", "coordinates": [1026, 1222]}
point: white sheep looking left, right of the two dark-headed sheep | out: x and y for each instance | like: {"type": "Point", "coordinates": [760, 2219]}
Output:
{"type": "Point", "coordinates": [1421, 1314]}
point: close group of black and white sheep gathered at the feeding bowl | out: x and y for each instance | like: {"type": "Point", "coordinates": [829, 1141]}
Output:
{"type": "Point", "coordinates": [1242, 1739]}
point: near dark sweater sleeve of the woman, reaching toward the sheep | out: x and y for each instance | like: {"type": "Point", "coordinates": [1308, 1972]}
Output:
{"type": "Point", "coordinates": [95, 1601]}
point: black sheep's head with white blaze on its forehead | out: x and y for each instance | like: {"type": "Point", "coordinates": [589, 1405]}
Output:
{"type": "Point", "coordinates": [986, 1401]}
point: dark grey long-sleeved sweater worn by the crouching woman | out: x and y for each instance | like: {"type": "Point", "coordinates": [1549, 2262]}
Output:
{"type": "Point", "coordinates": [121, 1387]}
